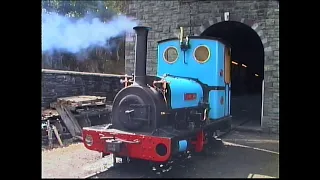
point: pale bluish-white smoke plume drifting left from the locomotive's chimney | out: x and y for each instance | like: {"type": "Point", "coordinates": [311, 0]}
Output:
{"type": "Point", "coordinates": [74, 35]}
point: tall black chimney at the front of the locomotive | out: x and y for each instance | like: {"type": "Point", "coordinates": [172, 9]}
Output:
{"type": "Point", "coordinates": [141, 54]}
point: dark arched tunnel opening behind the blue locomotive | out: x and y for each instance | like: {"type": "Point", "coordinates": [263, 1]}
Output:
{"type": "Point", "coordinates": [247, 55]}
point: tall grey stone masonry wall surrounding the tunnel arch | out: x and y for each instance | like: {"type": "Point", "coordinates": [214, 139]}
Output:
{"type": "Point", "coordinates": [164, 17]}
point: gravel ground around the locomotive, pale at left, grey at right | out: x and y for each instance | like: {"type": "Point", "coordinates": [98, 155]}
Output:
{"type": "Point", "coordinates": [256, 154]}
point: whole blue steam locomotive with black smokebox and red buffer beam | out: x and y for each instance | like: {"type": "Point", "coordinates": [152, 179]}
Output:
{"type": "Point", "coordinates": [157, 118]}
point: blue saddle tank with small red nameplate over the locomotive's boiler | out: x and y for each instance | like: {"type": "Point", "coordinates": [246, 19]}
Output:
{"type": "Point", "coordinates": [185, 93]}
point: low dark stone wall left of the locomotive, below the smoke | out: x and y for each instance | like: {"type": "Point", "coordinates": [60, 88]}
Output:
{"type": "Point", "coordinates": [57, 84]}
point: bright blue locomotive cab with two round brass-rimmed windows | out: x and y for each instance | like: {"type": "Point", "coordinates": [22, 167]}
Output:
{"type": "Point", "coordinates": [208, 60]}
